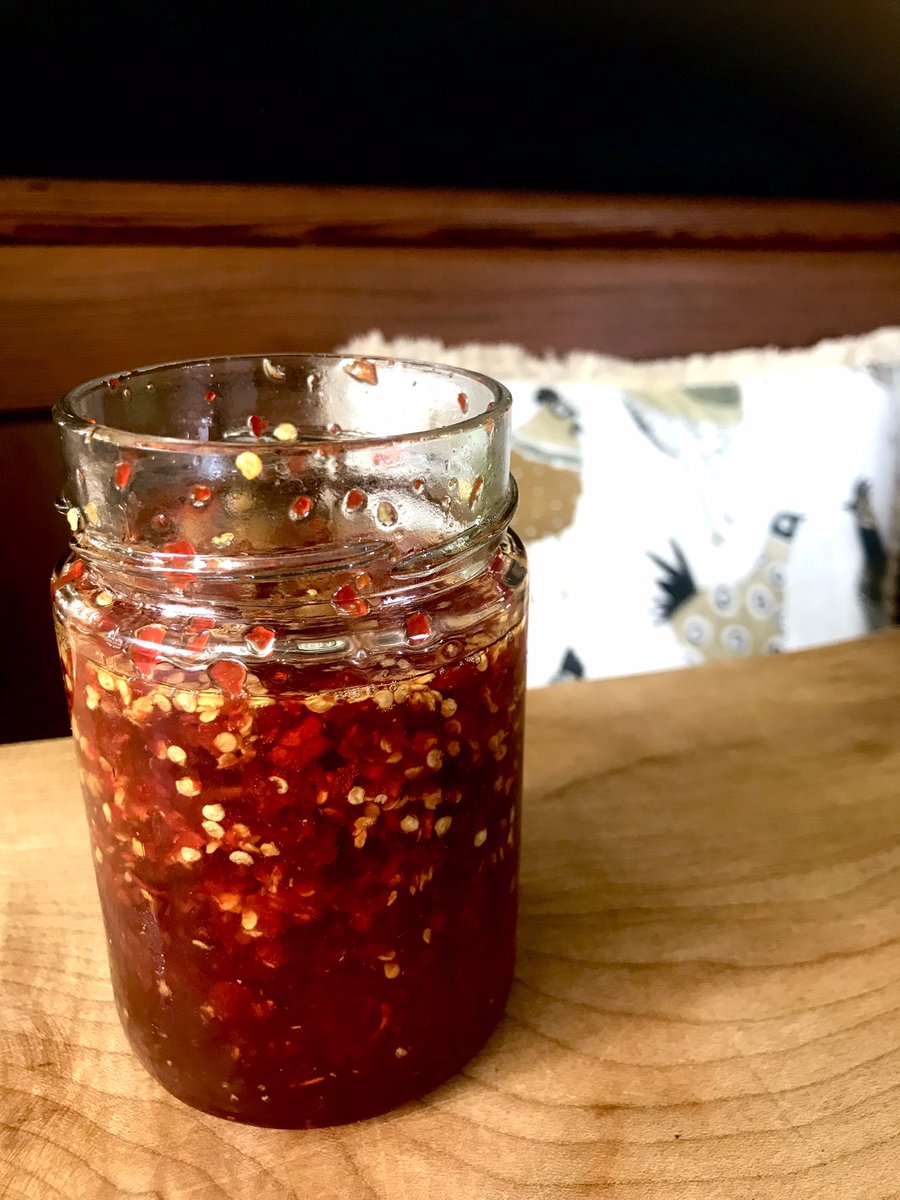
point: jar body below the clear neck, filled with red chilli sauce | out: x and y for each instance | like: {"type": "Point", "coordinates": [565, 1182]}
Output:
{"type": "Point", "coordinates": [307, 862]}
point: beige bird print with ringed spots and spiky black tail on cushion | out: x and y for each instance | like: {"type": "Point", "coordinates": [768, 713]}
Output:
{"type": "Point", "coordinates": [730, 620]}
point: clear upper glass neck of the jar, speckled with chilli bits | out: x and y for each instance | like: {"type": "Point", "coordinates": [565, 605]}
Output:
{"type": "Point", "coordinates": [254, 467]}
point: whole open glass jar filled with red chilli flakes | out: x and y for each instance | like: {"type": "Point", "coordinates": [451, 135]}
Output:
{"type": "Point", "coordinates": [292, 631]}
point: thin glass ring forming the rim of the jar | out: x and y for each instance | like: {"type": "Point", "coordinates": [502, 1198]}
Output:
{"type": "Point", "coordinates": [65, 410]}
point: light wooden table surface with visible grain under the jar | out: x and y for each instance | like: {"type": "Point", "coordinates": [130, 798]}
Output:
{"type": "Point", "coordinates": [707, 1003]}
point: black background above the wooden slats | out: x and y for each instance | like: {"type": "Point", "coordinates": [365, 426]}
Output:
{"type": "Point", "coordinates": [754, 98]}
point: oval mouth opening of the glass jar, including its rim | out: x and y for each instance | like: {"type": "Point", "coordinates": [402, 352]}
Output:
{"type": "Point", "coordinates": [281, 404]}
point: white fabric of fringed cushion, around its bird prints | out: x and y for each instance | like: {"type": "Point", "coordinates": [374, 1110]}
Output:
{"type": "Point", "coordinates": [813, 425]}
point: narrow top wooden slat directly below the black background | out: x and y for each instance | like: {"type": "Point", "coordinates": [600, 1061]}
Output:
{"type": "Point", "coordinates": [67, 212]}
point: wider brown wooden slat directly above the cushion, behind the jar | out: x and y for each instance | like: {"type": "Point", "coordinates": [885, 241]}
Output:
{"type": "Point", "coordinates": [70, 314]}
